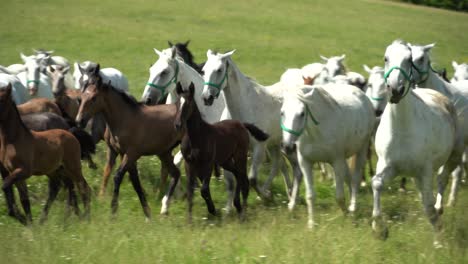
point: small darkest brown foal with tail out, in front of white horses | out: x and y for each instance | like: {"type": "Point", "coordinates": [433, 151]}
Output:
{"type": "Point", "coordinates": [224, 143]}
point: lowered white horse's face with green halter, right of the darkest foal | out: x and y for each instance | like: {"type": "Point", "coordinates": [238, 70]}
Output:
{"type": "Point", "coordinates": [293, 122]}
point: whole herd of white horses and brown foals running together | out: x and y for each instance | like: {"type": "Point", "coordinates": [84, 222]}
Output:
{"type": "Point", "coordinates": [51, 119]}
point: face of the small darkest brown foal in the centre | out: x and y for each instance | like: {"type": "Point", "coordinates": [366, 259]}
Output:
{"type": "Point", "coordinates": [185, 108]}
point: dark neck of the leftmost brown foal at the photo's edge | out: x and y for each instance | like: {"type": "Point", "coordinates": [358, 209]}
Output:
{"type": "Point", "coordinates": [13, 127]}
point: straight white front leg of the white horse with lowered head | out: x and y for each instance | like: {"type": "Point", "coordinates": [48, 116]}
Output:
{"type": "Point", "coordinates": [306, 169]}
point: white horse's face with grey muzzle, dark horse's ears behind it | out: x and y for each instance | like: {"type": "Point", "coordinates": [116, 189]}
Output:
{"type": "Point", "coordinates": [163, 77]}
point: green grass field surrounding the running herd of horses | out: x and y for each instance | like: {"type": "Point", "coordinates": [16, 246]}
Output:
{"type": "Point", "coordinates": [269, 36]}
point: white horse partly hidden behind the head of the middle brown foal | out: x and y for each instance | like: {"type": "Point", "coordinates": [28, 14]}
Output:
{"type": "Point", "coordinates": [81, 74]}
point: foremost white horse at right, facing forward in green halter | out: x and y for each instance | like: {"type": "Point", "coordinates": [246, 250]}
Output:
{"type": "Point", "coordinates": [418, 133]}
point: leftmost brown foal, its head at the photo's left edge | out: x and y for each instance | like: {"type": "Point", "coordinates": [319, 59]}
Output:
{"type": "Point", "coordinates": [55, 153]}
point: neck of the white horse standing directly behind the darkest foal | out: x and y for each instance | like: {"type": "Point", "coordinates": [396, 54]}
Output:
{"type": "Point", "coordinates": [240, 92]}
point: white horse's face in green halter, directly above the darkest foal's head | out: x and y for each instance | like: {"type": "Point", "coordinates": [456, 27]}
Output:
{"type": "Point", "coordinates": [215, 74]}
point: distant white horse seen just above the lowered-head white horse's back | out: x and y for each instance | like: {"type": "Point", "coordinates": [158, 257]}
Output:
{"type": "Point", "coordinates": [334, 67]}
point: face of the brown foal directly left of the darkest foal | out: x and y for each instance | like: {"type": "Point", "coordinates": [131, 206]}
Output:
{"type": "Point", "coordinates": [92, 101]}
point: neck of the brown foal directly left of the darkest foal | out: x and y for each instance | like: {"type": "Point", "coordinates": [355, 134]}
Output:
{"type": "Point", "coordinates": [116, 110]}
